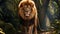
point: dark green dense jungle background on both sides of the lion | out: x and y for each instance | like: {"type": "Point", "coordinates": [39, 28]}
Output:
{"type": "Point", "coordinates": [10, 22]}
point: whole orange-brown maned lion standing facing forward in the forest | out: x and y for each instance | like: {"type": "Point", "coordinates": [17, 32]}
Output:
{"type": "Point", "coordinates": [28, 14]}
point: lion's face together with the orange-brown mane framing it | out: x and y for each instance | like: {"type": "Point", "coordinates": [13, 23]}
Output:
{"type": "Point", "coordinates": [26, 11]}
